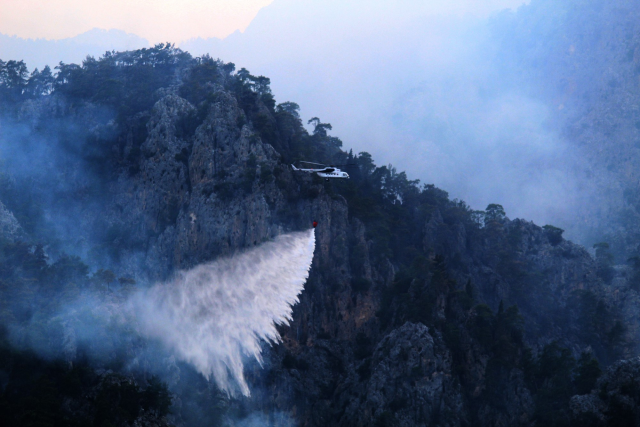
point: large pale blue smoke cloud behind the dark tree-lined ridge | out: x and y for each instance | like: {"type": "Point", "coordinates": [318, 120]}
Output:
{"type": "Point", "coordinates": [431, 91]}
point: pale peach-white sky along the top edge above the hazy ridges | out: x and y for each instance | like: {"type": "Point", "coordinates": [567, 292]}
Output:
{"type": "Point", "coordinates": [176, 20]}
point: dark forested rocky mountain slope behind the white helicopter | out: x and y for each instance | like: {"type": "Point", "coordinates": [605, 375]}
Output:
{"type": "Point", "coordinates": [418, 310]}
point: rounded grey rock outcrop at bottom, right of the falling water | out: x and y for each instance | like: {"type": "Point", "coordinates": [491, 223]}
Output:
{"type": "Point", "coordinates": [410, 383]}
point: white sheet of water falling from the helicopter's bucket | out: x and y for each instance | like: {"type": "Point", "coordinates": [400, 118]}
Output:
{"type": "Point", "coordinates": [216, 314]}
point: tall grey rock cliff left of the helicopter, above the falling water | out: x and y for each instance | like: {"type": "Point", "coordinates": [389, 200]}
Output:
{"type": "Point", "coordinates": [198, 196]}
